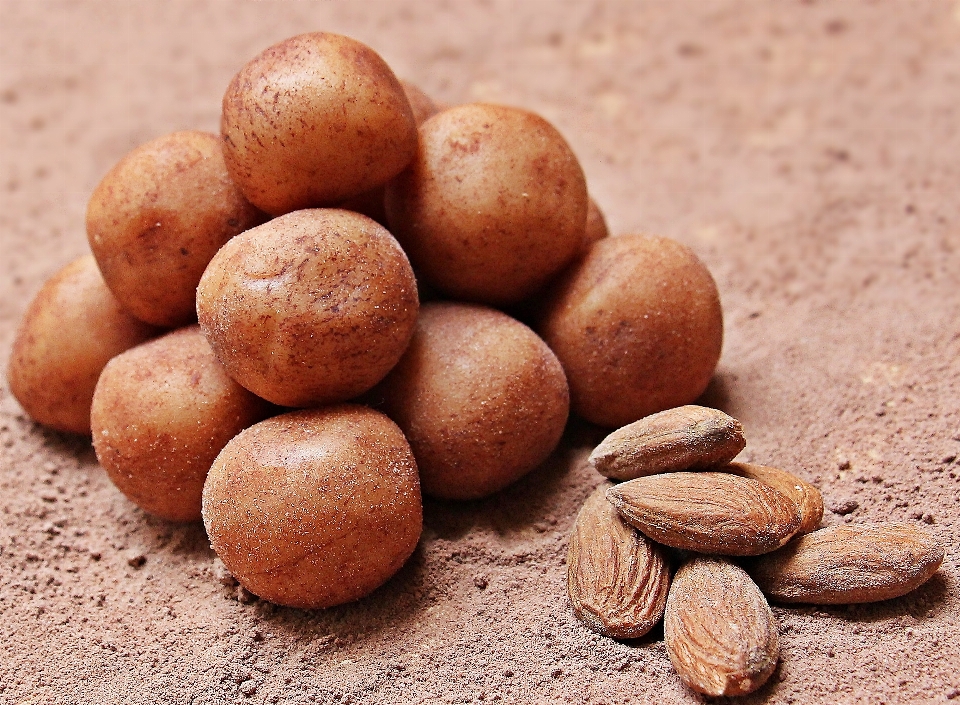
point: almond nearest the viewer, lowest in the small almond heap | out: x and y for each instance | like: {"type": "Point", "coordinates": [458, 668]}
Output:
{"type": "Point", "coordinates": [720, 633]}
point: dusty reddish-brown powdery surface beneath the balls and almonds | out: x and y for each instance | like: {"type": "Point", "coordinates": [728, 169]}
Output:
{"type": "Point", "coordinates": [809, 152]}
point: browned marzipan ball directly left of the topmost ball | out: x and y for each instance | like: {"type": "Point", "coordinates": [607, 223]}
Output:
{"type": "Point", "coordinates": [158, 217]}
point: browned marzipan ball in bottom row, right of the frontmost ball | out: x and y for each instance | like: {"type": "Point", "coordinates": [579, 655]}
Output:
{"type": "Point", "coordinates": [480, 397]}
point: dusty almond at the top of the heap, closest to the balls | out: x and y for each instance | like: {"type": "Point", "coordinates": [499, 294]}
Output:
{"type": "Point", "coordinates": [686, 438]}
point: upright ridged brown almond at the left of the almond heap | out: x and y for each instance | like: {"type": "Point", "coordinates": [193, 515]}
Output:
{"type": "Point", "coordinates": [617, 578]}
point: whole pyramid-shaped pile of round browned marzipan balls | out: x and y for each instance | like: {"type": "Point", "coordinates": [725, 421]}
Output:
{"type": "Point", "coordinates": [357, 260]}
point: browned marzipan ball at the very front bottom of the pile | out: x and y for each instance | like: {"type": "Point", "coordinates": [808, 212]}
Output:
{"type": "Point", "coordinates": [315, 508]}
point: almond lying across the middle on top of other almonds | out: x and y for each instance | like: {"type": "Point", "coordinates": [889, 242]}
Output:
{"type": "Point", "coordinates": [708, 512]}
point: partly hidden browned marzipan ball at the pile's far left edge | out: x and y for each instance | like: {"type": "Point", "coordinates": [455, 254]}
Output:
{"type": "Point", "coordinates": [70, 331]}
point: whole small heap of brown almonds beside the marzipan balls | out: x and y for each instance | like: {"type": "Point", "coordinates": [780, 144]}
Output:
{"type": "Point", "coordinates": [680, 490]}
